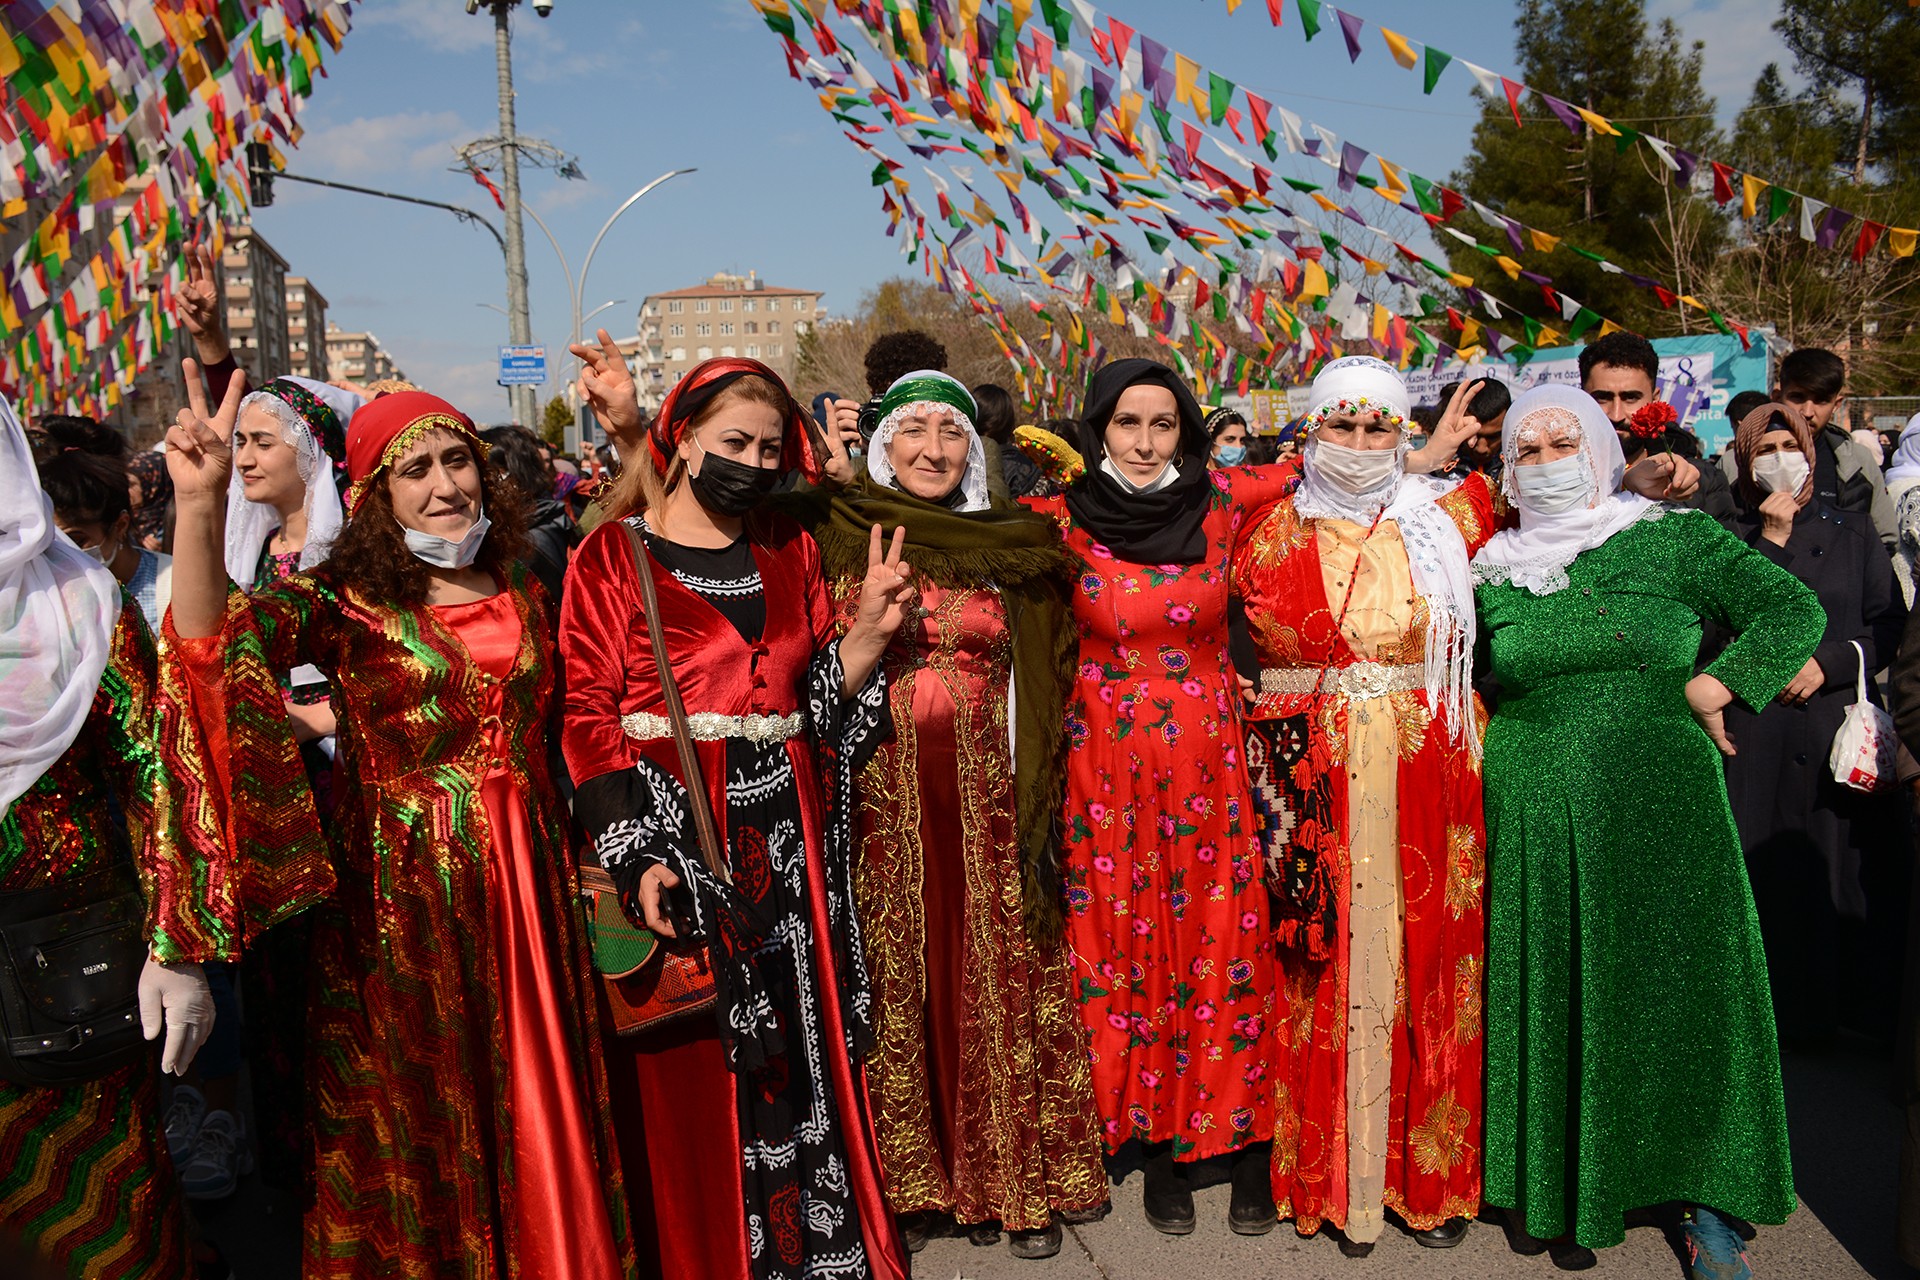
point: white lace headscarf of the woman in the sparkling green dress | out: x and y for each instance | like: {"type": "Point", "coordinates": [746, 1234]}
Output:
{"type": "Point", "coordinates": [1537, 556]}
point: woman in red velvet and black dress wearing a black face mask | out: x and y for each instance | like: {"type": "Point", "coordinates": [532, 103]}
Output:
{"type": "Point", "coordinates": [744, 1129]}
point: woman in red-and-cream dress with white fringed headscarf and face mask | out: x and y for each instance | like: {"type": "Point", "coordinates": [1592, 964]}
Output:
{"type": "Point", "coordinates": [1364, 751]}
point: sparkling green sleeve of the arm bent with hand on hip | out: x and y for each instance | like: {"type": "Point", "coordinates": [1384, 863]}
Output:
{"type": "Point", "coordinates": [1775, 617]}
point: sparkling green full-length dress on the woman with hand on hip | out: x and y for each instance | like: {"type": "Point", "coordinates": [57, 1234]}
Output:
{"type": "Point", "coordinates": [1629, 1030]}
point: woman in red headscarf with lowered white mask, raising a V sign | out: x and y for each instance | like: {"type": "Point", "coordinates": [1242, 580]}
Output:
{"type": "Point", "coordinates": [458, 1101]}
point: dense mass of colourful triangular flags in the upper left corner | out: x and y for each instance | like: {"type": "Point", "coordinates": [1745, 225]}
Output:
{"type": "Point", "coordinates": [122, 133]}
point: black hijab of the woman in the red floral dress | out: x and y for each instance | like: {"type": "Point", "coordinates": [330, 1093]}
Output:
{"type": "Point", "coordinates": [1143, 529]}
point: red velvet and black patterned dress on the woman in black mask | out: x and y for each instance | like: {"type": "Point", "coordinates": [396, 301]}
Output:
{"type": "Point", "coordinates": [744, 1133]}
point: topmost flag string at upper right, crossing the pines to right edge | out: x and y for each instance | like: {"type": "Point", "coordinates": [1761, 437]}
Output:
{"type": "Point", "coordinates": [1760, 197]}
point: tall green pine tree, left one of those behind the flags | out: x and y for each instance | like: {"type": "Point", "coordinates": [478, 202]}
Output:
{"type": "Point", "coordinates": [1610, 197]}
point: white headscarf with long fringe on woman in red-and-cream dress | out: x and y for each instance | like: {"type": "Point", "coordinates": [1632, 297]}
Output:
{"type": "Point", "coordinates": [1437, 554]}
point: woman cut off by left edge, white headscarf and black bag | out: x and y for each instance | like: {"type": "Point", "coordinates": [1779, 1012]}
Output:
{"type": "Point", "coordinates": [82, 803]}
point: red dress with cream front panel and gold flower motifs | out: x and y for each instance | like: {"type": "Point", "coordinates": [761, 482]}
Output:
{"type": "Point", "coordinates": [1378, 1041]}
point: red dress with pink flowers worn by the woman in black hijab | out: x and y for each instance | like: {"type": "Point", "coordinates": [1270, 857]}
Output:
{"type": "Point", "coordinates": [1166, 907]}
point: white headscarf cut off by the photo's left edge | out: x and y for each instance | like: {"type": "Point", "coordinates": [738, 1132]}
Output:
{"type": "Point", "coordinates": [59, 607]}
